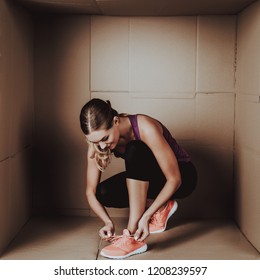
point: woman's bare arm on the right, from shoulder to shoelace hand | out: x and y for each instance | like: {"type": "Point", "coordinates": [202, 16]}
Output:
{"type": "Point", "coordinates": [152, 134]}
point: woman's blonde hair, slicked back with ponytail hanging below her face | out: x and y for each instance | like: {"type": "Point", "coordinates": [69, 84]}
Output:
{"type": "Point", "coordinates": [98, 114]}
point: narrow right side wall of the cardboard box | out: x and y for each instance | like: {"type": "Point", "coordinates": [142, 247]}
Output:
{"type": "Point", "coordinates": [247, 128]}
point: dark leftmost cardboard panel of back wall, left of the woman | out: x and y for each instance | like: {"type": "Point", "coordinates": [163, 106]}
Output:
{"type": "Point", "coordinates": [62, 47]}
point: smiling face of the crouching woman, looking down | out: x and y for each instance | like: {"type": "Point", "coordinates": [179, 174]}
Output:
{"type": "Point", "coordinates": [105, 138]}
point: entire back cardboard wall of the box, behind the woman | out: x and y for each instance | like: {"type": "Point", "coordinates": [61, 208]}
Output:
{"type": "Point", "coordinates": [177, 69]}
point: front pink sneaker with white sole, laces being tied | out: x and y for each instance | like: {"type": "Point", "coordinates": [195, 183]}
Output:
{"type": "Point", "coordinates": [123, 246]}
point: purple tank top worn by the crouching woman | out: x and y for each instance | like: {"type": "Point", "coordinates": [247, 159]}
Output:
{"type": "Point", "coordinates": [179, 152]}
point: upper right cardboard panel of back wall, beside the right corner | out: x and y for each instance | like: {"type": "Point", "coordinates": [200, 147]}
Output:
{"type": "Point", "coordinates": [216, 45]}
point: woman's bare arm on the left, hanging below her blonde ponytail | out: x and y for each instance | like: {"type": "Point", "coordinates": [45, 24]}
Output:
{"type": "Point", "coordinates": [93, 178]}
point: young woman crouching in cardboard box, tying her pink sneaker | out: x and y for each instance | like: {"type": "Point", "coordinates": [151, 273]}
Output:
{"type": "Point", "coordinates": [157, 172]}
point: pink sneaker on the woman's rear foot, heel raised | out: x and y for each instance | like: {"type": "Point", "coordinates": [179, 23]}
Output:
{"type": "Point", "coordinates": [159, 219]}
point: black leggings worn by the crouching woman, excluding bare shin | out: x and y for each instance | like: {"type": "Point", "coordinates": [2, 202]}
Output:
{"type": "Point", "coordinates": [142, 165]}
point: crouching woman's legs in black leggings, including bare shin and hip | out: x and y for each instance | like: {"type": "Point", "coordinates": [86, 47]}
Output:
{"type": "Point", "coordinates": [143, 179]}
